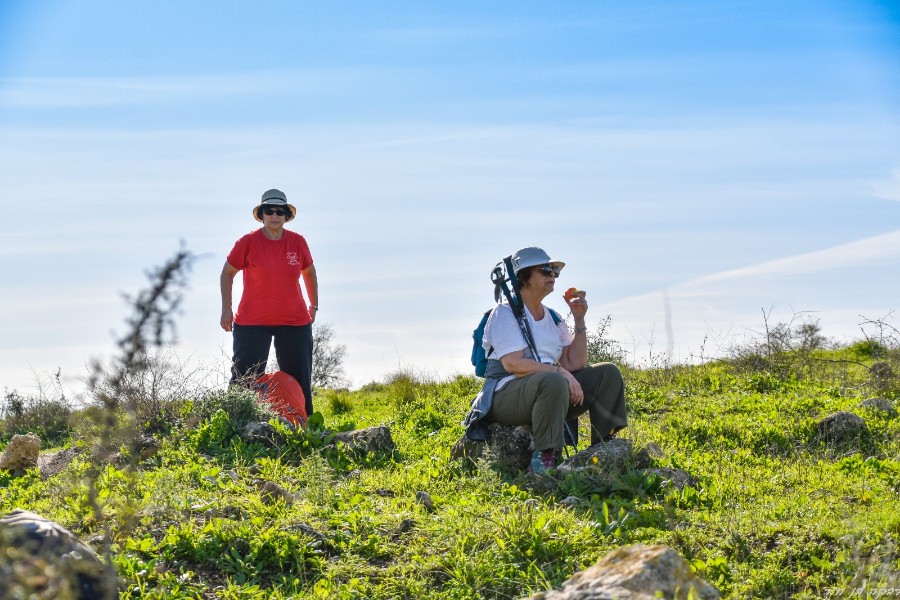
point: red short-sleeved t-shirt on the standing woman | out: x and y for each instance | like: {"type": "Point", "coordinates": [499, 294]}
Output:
{"type": "Point", "coordinates": [271, 269]}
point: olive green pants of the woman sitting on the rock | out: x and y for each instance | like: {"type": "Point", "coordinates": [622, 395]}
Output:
{"type": "Point", "coordinates": [541, 400]}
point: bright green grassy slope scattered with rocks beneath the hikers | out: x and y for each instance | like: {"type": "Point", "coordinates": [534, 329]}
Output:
{"type": "Point", "coordinates": [776, 513]}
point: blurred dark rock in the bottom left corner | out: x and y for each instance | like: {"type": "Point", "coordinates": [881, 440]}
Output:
{"type": "Point", "coordinates": [41, 559]}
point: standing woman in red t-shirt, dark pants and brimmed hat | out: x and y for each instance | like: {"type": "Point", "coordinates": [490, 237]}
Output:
{"type": "Point", "coordinates": [272, 306]}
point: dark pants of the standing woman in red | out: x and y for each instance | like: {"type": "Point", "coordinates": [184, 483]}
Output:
{"type": "Point", "coordinates": [293, 350]}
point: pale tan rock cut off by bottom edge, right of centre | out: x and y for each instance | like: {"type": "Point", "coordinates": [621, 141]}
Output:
{"type": "Point", "coordinates": [636, 572]}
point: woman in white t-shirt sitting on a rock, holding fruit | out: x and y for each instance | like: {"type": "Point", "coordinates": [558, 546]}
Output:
{"type": "Point", "coordinates": [557, 385]}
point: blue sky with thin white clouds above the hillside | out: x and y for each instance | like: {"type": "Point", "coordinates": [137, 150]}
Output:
{"type": "Point", "coordinates": [695, 163]}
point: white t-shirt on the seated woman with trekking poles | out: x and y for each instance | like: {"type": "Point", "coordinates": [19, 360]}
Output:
{"type": "Point", "coordinates": [502, 335]}
